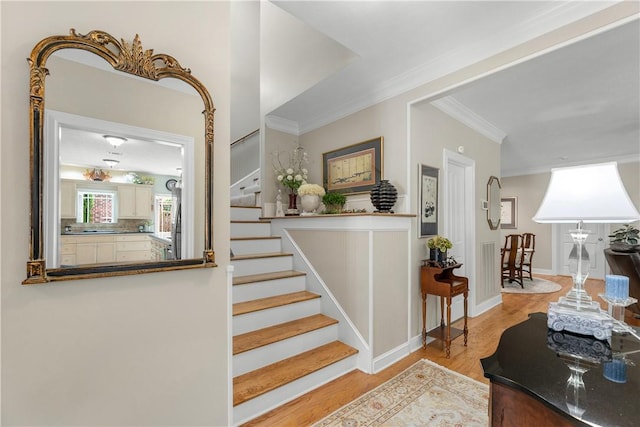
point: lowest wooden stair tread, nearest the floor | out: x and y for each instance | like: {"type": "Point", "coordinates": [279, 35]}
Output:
{"type": "Point", "coordinates": [255, 383]}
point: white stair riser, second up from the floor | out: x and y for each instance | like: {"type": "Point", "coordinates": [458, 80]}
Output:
{"type": "Point", "coordinates": [259, 357]}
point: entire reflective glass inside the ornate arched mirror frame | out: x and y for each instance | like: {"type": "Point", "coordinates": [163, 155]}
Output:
{"type": "Point", "coordinates": [128, 199]}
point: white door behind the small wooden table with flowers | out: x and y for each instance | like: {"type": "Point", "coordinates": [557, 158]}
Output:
{"type": "Point", "coordinates": [458, 218]}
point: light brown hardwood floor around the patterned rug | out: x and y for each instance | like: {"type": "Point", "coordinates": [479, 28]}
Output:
{"type": "Point", "coordinates": [484, 332]}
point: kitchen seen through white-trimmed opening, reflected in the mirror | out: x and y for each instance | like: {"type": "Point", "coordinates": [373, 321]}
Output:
{"type": "Point", "coordinates": [120, 194]}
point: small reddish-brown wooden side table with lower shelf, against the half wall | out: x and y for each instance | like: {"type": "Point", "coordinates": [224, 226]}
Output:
{"type": "Point", "coordinates": [439, 280]}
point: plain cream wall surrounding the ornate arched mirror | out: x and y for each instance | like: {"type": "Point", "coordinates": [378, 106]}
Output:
{"type": "Point", "coordinates": [150, 349]}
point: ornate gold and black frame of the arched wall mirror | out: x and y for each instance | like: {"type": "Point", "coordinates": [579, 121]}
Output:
{"type": "Point", "coordinates": [130, 59]}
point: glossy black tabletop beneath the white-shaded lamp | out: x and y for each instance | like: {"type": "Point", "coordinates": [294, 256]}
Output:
{"type": "Point", "coordinates": [536, 360]}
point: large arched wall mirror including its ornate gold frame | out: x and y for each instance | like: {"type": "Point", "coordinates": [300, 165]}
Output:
{"type": "Point", "coordinates": [121, 161]}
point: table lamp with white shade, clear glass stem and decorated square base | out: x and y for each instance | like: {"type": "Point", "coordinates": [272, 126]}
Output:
{"type": "Point", "coordinates": [583, 194]}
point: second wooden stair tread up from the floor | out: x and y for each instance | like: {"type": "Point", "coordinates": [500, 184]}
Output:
{"type": "Point", "coordinates": [261, 337]}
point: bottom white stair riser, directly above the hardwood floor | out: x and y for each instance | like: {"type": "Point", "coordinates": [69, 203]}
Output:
{"type": "Point", "coordinates": [261, 404]}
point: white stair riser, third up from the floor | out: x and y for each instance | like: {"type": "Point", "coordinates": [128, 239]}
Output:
{"type": "Point", "coordinates": [273, 316]}
